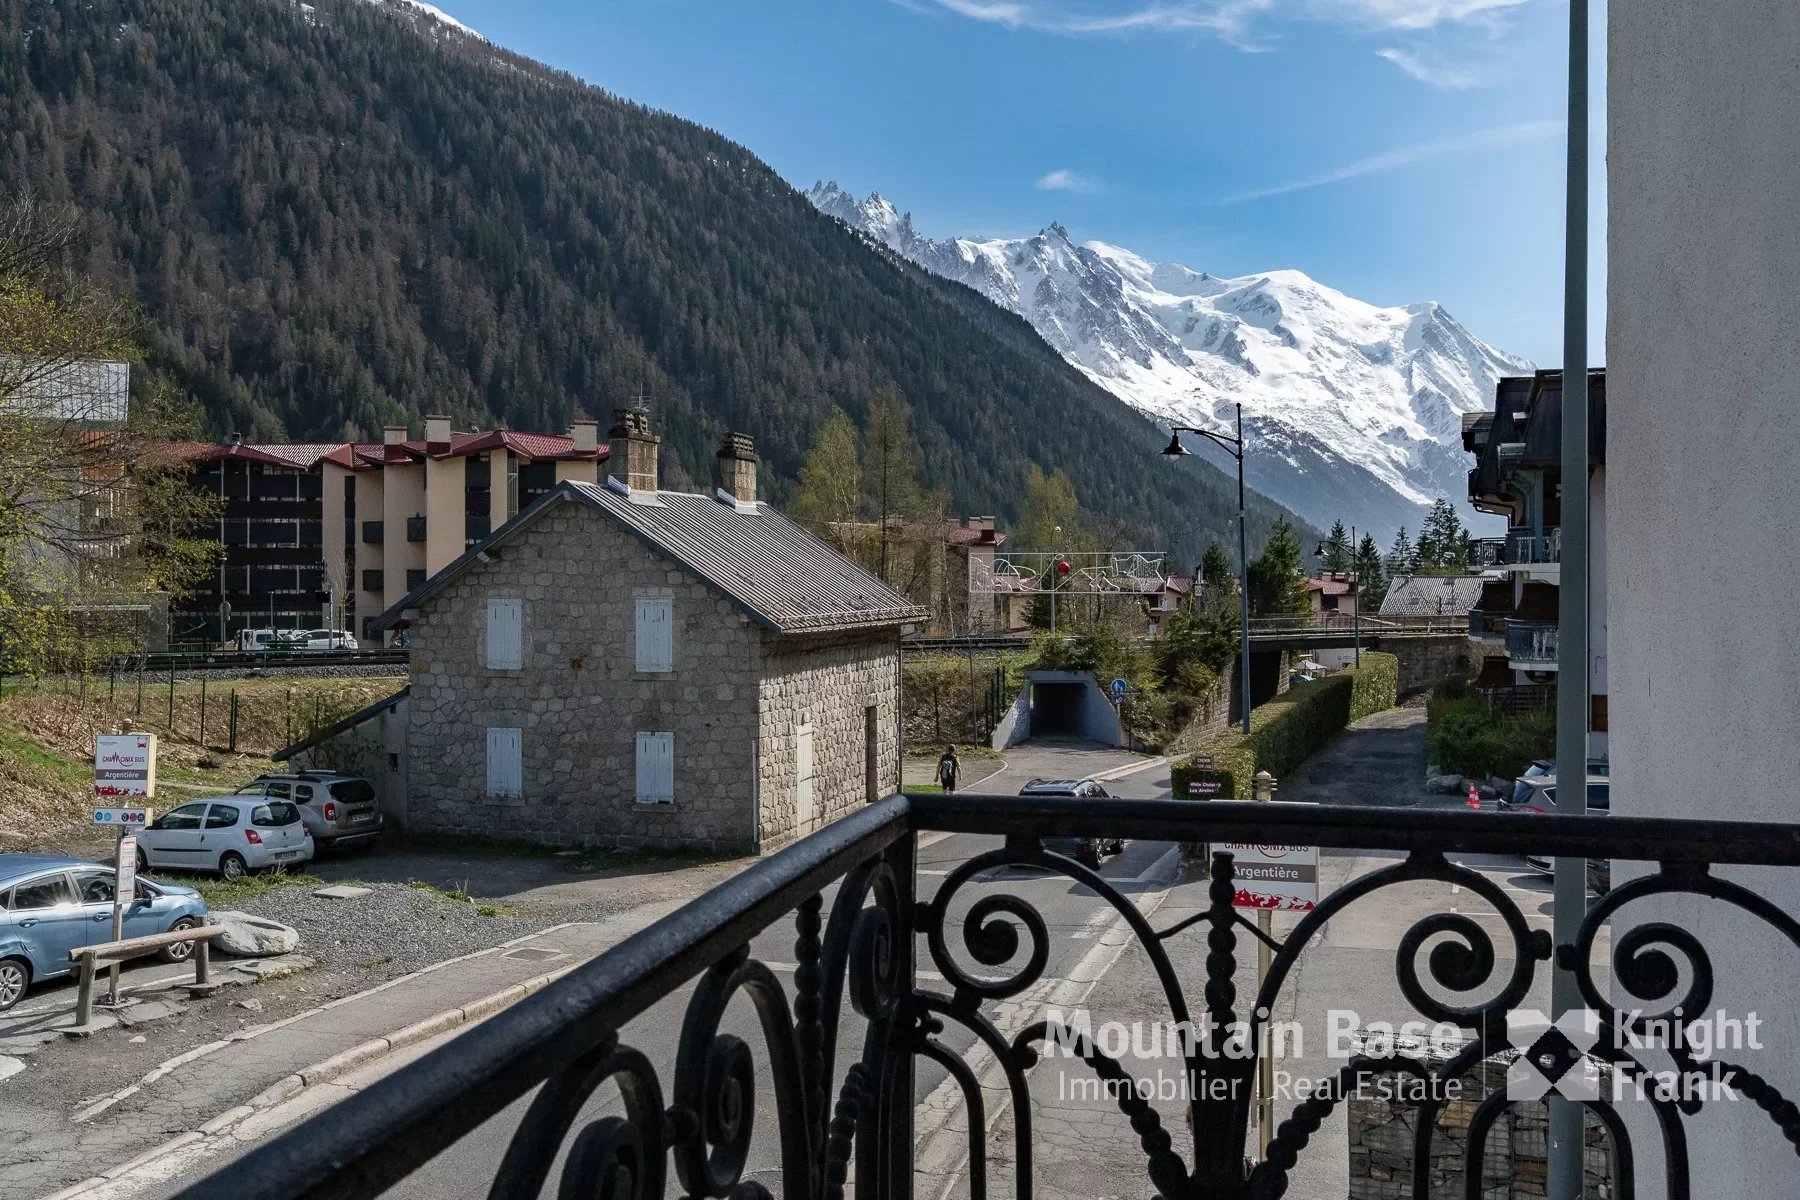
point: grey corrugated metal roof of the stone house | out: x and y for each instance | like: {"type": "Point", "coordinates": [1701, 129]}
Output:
{"type": "Point", "coordinates": [778, 573]}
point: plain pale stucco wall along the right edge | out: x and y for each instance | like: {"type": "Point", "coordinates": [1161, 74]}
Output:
{"type": "Point", "coordinates": [1704, 508]}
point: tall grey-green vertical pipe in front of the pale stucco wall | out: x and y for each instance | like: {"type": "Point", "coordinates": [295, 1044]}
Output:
{"type": "Point", "coordinates": [1570, 906]}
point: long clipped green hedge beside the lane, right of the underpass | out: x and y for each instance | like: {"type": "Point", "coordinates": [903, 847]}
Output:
{"type": "Point", "coordinates": [1290, 730]}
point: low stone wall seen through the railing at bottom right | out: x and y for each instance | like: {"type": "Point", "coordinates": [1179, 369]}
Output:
{"type": "Point", "coordinates": [1513, 1167]}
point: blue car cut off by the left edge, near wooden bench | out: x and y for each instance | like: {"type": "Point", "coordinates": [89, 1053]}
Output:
{"type": "Point", "coordinates": [51, 906]}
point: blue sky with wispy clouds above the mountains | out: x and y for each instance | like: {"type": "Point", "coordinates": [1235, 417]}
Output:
{"type": "Point", "coordinates": [1399, 150]}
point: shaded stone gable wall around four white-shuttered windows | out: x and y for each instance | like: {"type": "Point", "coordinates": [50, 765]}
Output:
{"type": "Point", "coordinates": [580, 701]}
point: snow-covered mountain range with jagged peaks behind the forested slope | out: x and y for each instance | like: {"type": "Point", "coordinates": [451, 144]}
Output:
{"type": "Point", "coordinates": [1353, 411]}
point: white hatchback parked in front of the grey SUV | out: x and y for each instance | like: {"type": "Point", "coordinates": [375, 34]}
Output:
{"type": "Point", "coordinates": [226, 834]}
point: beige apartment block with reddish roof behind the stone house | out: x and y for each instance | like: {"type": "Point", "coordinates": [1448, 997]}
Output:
{"type": "Point", "coordinates": [402, 510]}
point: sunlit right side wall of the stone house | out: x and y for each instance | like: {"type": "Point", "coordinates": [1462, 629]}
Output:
{"type": "Point", "coordinates": [829, 685]}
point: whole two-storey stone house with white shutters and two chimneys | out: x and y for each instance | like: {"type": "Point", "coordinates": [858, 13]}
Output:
{"type": "Point", "coordinates": [622, 665]}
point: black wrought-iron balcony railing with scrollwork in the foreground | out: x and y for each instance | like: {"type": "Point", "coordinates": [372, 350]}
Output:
{"type": "Point", "coordinates": [843, 1025]}
